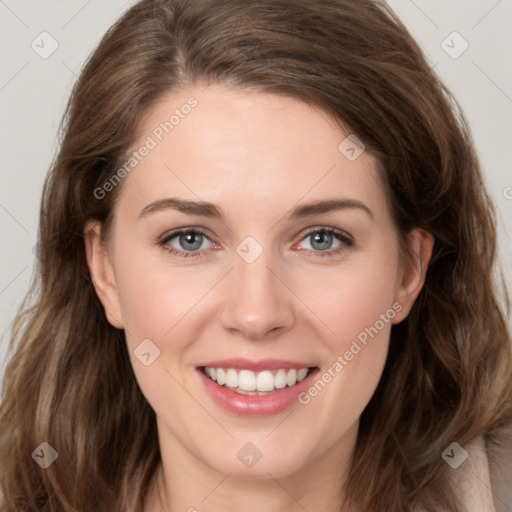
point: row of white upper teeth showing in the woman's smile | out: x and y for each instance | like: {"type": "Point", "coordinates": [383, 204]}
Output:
{"type": "Point", "coordinates": [248, 380]}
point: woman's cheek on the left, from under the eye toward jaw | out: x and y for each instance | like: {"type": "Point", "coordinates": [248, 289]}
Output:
{"type": "Point", "coordinates": [161, 304]}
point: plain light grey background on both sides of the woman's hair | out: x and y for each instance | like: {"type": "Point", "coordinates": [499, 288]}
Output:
{"type": "Point", "coordinates": [34, 90]}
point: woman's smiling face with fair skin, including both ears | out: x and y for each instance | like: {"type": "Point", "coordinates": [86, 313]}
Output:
{"type": "Point", "coordinates": [249, 247]}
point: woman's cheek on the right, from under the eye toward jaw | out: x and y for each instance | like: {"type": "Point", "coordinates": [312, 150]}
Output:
{"type": "Point", "coordinates": [356, 305]}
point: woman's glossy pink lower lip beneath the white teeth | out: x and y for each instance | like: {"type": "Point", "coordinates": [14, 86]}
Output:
{"type": "Point", "coordinates": [255, 405]}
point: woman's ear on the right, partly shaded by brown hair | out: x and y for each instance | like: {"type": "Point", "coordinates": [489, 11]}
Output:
{"type": "Point", "coordinates": [420, 244]}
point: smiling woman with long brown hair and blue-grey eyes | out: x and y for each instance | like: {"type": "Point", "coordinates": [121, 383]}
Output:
{"type": "Point", "coordinates": [265, 277]}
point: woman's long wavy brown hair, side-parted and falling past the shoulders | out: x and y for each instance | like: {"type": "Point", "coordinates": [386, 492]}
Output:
{"type": "Point", "coordinates": [448, 376]}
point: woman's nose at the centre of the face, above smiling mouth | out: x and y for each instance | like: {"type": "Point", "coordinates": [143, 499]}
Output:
{"type": "Point", "coordinates": [258, 304]}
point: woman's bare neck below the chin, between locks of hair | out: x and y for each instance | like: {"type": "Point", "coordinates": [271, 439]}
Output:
{"type": "Point", "coordinates": [183, 483]}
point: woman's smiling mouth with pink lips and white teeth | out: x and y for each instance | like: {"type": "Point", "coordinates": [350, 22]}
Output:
{"type": "Point", "coordinates": [247, 388]}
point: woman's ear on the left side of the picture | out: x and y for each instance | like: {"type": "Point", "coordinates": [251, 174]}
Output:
{"type": "Point", "coordinates": [102, 273]}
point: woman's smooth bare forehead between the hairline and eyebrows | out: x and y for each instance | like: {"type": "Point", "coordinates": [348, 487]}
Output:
{"type": "Point", "coordinates": [246, 149]}
